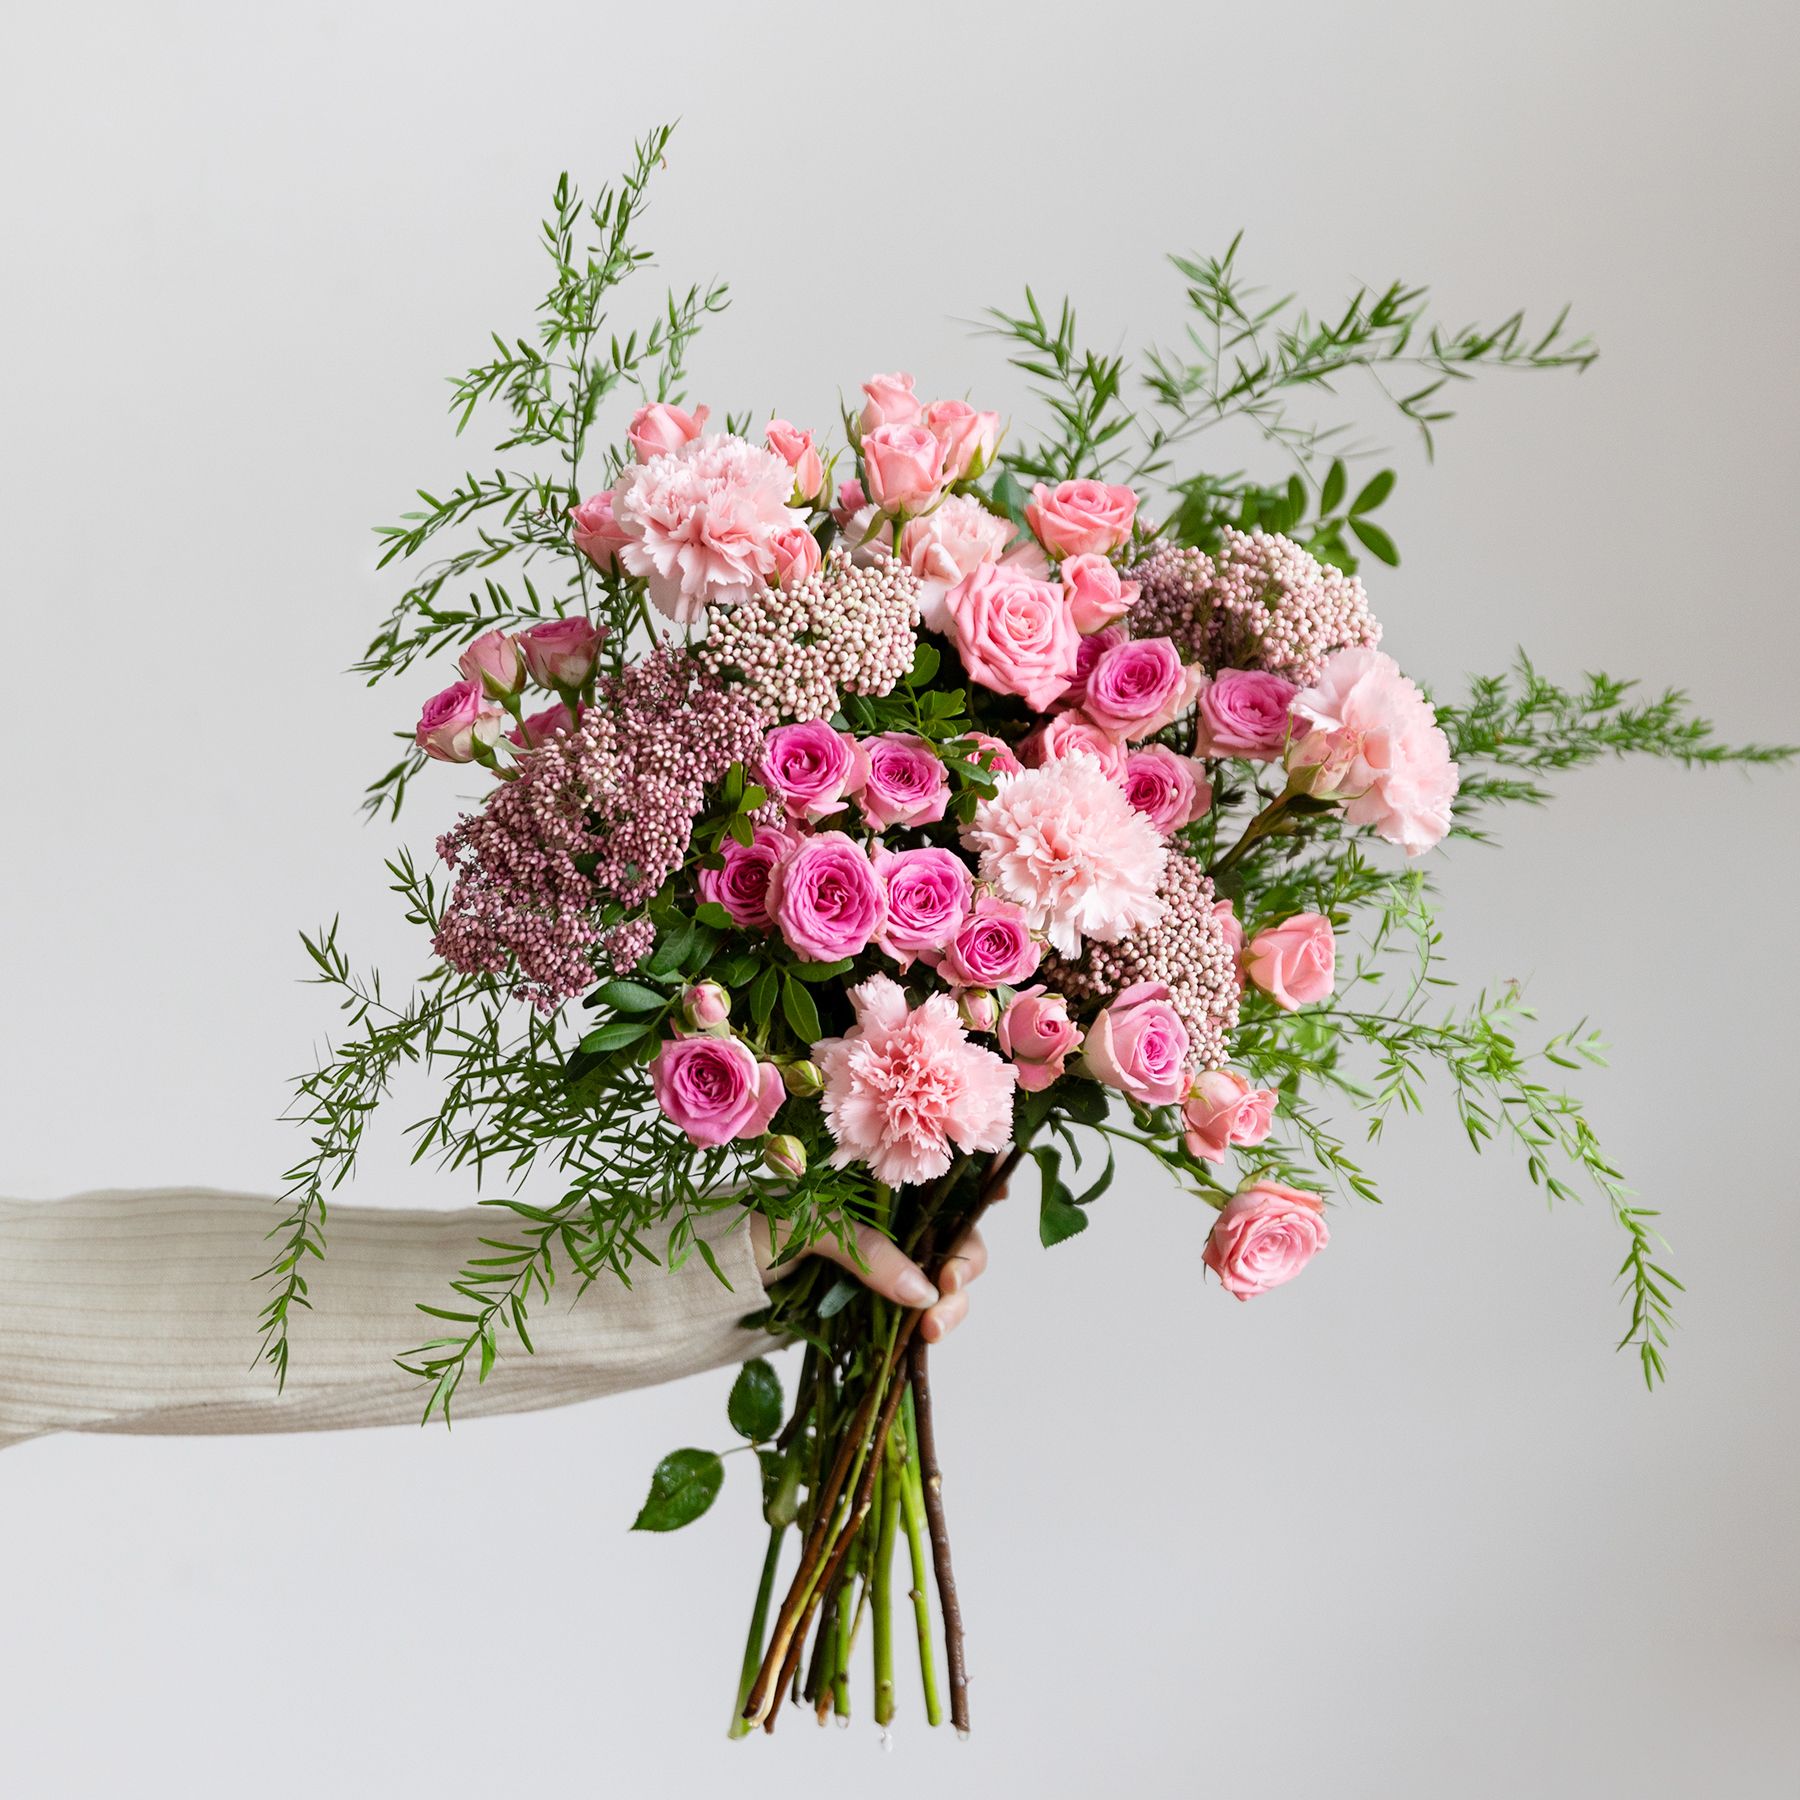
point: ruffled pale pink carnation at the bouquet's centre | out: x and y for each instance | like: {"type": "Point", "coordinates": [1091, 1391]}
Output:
{"type": "Point", "coordinates": [1072, 850]}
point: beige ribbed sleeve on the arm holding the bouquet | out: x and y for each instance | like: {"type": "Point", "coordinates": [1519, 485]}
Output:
{"type": "Point", "coordinates": [138, 1313]}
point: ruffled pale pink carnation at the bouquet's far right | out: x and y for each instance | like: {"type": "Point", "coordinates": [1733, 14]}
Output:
{"type": "Point", "coordinates": [1376, 746]}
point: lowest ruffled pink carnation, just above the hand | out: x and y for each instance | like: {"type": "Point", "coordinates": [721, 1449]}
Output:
{"type": "Point", "coordinates": [903, 1086]}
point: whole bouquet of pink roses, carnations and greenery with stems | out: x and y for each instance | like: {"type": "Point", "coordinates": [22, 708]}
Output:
{"type": "Point", "coordinates": [870, 813]}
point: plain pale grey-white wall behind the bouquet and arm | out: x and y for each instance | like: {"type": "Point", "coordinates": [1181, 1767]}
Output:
{"type": "Point", "coordinates": [1405, 1529]}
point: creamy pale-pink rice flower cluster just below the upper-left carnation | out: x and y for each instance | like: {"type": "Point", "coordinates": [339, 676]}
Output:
{"type": "Point", "coordinates": [849, 629]}
